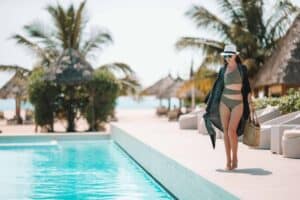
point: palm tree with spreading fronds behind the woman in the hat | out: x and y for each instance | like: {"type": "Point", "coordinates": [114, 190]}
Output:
{"type": "Point", "coordinates": [245, 25]}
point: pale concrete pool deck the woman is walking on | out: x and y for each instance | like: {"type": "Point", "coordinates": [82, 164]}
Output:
{"type": "Point", "coordinates": [261, 174]}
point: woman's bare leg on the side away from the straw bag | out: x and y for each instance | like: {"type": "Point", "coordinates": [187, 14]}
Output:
{"type": "Point", "coordinates": [225, 117]}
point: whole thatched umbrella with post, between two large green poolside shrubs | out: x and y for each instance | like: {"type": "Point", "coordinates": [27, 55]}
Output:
{"type": "Point", "coordinates": [71, 69]}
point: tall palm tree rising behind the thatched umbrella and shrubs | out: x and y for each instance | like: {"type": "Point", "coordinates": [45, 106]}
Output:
{"type": "Point", "coordinates": [66, 32]}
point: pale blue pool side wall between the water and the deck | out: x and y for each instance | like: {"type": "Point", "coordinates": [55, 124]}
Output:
{"type": "Point", "coordinates": [180, 181]}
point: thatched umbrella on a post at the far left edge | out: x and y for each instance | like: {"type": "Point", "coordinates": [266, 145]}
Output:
{"type": "Point", "coordinates": [16, 88]}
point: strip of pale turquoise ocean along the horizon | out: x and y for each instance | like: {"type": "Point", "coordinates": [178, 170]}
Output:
{"type": "Point", "coordinates": [148, 102]}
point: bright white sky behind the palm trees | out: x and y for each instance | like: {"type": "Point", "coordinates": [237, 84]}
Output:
{"type": "Point", "coordinates": [144, 33]}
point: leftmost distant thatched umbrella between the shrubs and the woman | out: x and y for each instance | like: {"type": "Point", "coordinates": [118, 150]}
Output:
{"type": "Point", "coordinates": [159, 87]}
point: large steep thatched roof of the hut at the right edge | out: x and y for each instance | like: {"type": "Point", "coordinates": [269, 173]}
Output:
{"type": "Point", "coordinates": [281, 71]}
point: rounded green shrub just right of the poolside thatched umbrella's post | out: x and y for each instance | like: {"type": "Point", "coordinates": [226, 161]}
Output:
{"type": "Point", "coordinates": [103, 92]}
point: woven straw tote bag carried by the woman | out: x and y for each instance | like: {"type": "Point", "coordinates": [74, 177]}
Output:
{"type": "Point", "coordinates": [252, 131]}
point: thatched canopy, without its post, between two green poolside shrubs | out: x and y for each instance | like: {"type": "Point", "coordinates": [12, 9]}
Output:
{"type": "Point", "coordinates": [70, 68]}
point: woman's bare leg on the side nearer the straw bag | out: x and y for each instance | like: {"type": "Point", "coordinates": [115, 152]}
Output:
{"type": "Point", "coordinates": [235, 118]}
